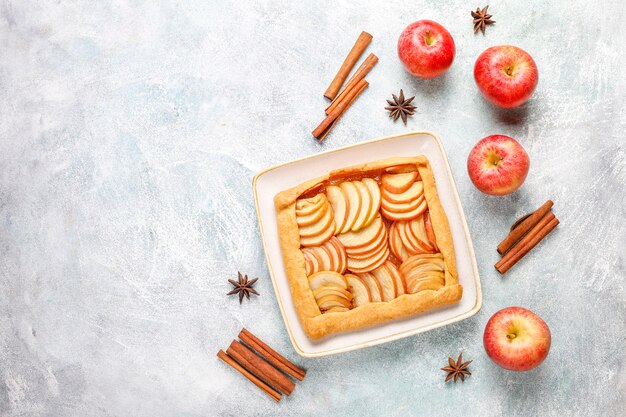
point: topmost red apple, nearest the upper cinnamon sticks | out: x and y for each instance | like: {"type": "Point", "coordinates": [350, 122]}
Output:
{"type": "Point", "coordinates": [426, 49]}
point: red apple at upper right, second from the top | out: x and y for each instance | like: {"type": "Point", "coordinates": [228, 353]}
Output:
{"type": "Point", "coordinates": [506, 75]}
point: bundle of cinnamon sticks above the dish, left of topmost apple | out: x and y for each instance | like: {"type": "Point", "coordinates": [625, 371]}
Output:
{"type": "Point", "coordinates": [341, 101]}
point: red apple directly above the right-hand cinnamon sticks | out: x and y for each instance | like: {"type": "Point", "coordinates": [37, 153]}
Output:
{"type": "Point", "coordinates": [498, 165]}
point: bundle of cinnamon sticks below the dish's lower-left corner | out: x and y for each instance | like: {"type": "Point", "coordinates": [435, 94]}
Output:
{"type": "Point", "coordinates": [262, 365]}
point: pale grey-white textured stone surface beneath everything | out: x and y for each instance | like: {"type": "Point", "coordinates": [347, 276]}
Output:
{"type": "Point", "coordinates": [131, 130]}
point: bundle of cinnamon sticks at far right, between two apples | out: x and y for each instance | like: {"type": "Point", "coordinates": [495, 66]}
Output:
{"type": "Point", "coordinates": [525, 234]}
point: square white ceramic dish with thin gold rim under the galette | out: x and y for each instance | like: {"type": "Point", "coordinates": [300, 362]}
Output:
{"type": "Point", "coordinates": [269, 182]}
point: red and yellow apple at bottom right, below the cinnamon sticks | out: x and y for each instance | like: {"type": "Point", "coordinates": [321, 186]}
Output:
{"type": "Point", "coordinates": [517, 339]}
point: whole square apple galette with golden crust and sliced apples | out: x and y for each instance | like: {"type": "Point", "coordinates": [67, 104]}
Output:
{"type": "Point", "coordinates": [366, 244]}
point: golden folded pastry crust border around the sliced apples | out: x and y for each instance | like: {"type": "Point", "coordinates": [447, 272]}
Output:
{"type": "Point", "coordinates": [317, 325]}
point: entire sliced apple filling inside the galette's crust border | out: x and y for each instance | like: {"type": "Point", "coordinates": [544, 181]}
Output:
{"type": "Point", "coordinates": [347, 247]}
